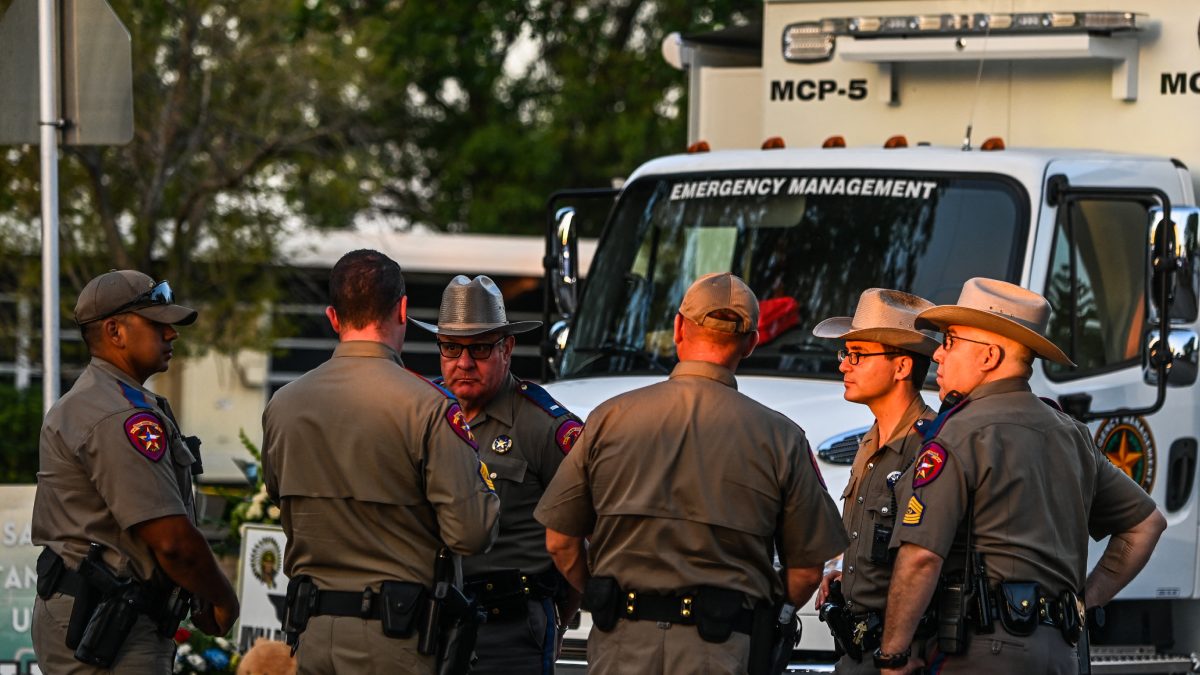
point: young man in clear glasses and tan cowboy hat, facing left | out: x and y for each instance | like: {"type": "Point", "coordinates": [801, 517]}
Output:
{"type": "Point", "coordinates": [884, 367]}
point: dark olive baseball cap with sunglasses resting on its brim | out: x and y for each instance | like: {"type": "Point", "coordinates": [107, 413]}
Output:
{"type": "Point", "coordinates": [130, 291]}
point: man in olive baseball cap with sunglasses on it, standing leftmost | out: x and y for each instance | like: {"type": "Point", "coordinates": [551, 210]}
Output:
{"type": "Point", "coordinates": [116, 476]}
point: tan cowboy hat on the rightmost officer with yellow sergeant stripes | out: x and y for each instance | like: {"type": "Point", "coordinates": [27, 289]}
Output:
{"type": "Point", "coordinates": [1000, 308]}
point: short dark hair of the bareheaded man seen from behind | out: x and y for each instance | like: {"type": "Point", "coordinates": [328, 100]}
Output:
{"type": "Point", "coordinates": [364, 289]}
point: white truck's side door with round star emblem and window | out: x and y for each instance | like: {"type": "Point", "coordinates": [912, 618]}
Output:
{"type": "Point", "coordinates": [1094, 265]}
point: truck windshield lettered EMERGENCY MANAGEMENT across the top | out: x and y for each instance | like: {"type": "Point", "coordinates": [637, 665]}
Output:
{"type": "Point", "coordinates": [807, 243]}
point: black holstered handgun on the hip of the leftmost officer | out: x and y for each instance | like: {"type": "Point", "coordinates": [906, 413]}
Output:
{"type": "Point", "coordinates": [111, 623]}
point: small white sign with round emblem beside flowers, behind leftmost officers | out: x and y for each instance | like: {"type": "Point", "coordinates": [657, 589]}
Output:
{"type": "Point", "coordinates": [262, 586]}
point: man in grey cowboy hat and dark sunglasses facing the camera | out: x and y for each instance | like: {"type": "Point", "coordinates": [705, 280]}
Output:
{"type": "Point", "coordinates": [524, 435]}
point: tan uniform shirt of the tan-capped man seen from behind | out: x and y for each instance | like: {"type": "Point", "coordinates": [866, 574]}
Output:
{"type": "Point", "coordinates": [688, 483]}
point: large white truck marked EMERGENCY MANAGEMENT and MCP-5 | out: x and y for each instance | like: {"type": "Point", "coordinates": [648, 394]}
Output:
{"type": "Point", "coordinates": [914, 145]}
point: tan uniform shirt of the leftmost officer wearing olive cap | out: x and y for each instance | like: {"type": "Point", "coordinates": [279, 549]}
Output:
{"type": "Point", "coordinates": [110, 459]}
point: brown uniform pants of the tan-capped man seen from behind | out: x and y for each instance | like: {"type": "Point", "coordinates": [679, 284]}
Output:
{"type": "Point", "coordinates": [646, 648]}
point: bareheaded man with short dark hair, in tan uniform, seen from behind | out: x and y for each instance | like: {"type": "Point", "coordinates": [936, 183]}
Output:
{"type": "Point", "coordinates": [375, 470]}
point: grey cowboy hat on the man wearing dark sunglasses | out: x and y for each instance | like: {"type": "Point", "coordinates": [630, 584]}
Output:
{"type": "Point", "coordinates": [473, 307]}
